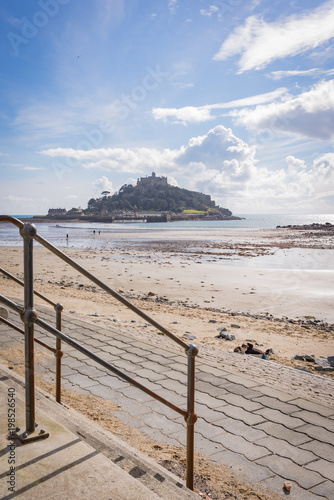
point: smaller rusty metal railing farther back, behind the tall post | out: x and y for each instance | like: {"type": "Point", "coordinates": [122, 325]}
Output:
{"type": "Point", "coordinates": [58, 353]}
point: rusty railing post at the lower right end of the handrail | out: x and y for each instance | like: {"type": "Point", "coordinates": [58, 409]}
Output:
{"type": "Point", "coordinates": [191, 415]}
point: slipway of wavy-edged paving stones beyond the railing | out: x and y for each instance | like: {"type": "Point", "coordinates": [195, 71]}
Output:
{"type": "Point", "coordinates": [269, 423]}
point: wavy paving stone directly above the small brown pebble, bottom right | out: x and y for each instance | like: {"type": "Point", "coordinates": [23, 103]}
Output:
{"type": "Point", "coordinates": [289, 470]}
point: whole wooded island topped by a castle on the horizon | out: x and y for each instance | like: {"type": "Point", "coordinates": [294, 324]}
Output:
{"type": "Point", "coordinates": [152, 199]}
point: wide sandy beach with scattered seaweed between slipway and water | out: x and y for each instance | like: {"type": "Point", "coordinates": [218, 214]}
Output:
{"type": "Point", "coordinates": [272, 287]}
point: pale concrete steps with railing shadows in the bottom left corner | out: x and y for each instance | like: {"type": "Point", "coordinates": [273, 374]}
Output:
{"type": "Point", "coordinates": [79, 459]}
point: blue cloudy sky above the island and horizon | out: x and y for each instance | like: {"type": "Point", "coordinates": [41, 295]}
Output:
{"type": "Point", "coordinates": [232, 98]}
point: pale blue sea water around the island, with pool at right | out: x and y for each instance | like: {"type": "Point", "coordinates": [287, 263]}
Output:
{"type": "Point", "coordinates": [85, 235]}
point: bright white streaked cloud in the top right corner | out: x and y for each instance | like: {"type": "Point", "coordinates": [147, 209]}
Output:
{"type": "Point", "coordinates": [260, 42]}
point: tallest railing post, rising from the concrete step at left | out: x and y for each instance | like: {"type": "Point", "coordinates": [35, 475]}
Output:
{"type": "Point", "coordinates": [29, 316]}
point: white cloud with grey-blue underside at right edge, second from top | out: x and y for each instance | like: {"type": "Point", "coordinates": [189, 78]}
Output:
{"type": "Point", "coordinates": [310, 114]}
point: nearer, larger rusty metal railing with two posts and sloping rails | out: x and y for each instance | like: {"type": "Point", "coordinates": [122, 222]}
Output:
{"type": "Point", "coordinates": [29, 317]}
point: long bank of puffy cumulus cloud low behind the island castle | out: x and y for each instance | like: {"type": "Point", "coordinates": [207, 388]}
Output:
{"type": "Point", "coordinates": [222, 164]}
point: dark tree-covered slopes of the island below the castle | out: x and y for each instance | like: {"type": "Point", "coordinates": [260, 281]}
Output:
{"type": "Point", "coordinates": [154, 198]}
